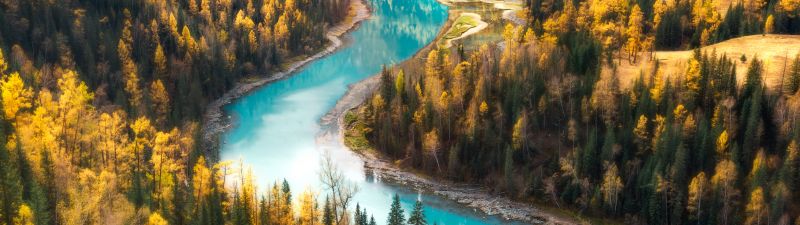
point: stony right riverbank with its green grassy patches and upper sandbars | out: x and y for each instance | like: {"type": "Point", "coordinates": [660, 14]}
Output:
{"type": "Point", "coordinates": [340, 121]}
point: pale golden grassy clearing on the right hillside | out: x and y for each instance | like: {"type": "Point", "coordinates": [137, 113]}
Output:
{"type": "Point", "coordinates": [776, 52]}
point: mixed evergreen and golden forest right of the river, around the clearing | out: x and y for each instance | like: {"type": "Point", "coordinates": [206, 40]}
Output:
{"type": "Point", "coordinates": [544, 117]}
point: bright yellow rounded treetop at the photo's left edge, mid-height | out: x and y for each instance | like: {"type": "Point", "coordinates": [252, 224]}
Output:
{"type": "Point", "coordinates": [15, 95]}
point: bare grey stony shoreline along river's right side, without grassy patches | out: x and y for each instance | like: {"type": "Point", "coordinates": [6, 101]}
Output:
{"type": "Point", "coordinates": [470, 195]}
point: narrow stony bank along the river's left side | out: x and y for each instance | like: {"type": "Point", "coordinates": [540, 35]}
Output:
{"type": "Point", "coordinates": [217, 123]}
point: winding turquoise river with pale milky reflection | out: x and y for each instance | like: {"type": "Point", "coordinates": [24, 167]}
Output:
{"type": "Point", "coordinates": [277, 125]}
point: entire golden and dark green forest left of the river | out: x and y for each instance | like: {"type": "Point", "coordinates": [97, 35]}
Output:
{"type": "Point", "coordinates": [100, 101]}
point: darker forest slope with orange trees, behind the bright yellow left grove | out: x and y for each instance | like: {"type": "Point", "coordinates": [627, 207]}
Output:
{"type": "Point", "coordinates": [164, 59]}
